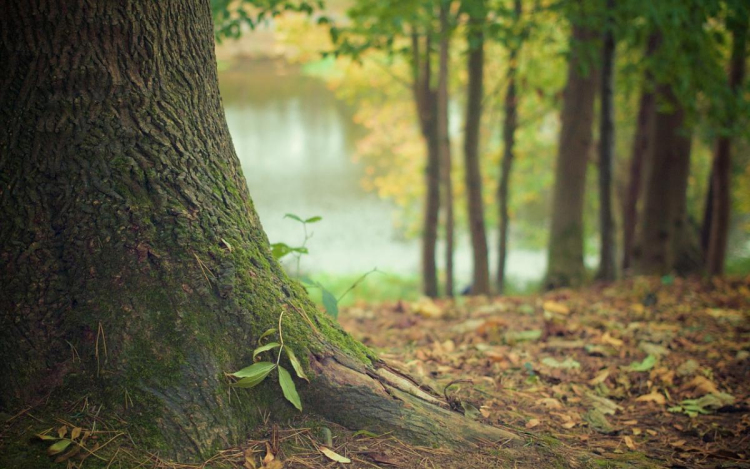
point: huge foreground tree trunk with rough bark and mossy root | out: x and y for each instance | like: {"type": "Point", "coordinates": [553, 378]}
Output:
{"type": "Point", "coordinates": [127, 221]}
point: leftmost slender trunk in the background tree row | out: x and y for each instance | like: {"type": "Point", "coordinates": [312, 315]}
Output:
{"type": "Point", "coordinates": [426, 101]}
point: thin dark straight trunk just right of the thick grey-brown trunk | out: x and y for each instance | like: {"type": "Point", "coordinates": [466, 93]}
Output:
{"type": "Point", "coordinates": [607, 266]}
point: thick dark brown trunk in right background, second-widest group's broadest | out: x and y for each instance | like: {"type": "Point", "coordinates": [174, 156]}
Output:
{"type": "Point", "coordinates": [662, 231]}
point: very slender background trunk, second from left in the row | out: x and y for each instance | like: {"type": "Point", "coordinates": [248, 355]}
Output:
{"type": "Point", "coordinates": [445, 143]}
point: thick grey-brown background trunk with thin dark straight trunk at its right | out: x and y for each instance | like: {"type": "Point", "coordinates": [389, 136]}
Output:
{"type": "Point", "coordinates": [565, 256]}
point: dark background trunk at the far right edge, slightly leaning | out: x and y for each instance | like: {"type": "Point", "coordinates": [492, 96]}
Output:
{"type": "Point", "coordinates": [719, 199]}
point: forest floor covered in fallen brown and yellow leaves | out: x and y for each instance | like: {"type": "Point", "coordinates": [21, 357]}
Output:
{"type": "Point", "coordinates": [641, 373]}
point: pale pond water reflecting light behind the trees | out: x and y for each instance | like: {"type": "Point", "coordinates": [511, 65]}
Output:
{"type": "Point", "coordinates": [295, 141]}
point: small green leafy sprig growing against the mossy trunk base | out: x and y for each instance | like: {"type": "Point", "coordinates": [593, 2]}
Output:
{"type": "Point", "coordinates": [253, 375]}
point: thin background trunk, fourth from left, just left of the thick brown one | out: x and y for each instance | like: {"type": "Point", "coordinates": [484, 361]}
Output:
{"type": "Point", "coordinates": [509, 133]}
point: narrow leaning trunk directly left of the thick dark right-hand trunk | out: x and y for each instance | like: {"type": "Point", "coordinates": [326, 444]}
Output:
{"type": "Point", "coordinates": [641, 141]}
